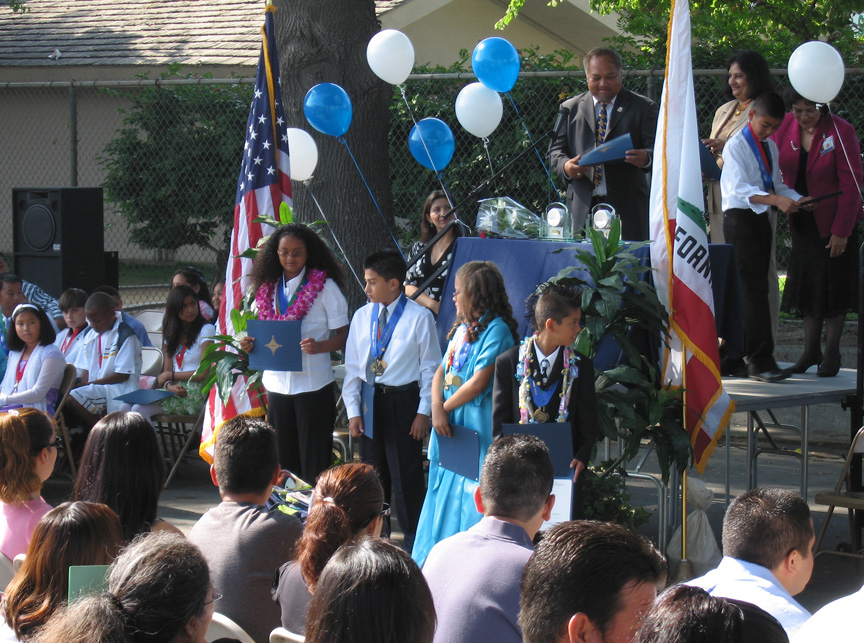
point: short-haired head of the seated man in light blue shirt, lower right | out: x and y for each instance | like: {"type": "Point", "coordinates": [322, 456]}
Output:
{"type": "Point", "coordinates": [772, 528]}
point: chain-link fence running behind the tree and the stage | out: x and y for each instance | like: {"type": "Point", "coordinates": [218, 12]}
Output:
{"type": "Point", "coordinates": [169, 180]}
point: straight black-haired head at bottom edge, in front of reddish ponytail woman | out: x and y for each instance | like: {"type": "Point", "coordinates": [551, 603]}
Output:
{"type": "Point", "coordinates": [371, 591]}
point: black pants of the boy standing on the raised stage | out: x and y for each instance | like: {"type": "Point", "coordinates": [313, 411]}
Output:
{"type": "Point", "coordinates": [750, 234]}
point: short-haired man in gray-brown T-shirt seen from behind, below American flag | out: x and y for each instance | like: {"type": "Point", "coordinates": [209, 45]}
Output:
{"type": "Point", "coordinates": [243, 542]}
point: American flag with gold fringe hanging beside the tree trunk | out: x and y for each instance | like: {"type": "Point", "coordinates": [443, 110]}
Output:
{"type": "Point", "coordinates": [263, 184]}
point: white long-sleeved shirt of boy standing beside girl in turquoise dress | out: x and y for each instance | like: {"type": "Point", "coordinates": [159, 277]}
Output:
{"type": "Point", "coordinates": [412, 355]}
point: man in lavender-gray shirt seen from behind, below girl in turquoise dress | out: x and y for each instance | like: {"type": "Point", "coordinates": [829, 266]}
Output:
{"type": "Point", "coordinates": [474, 575]}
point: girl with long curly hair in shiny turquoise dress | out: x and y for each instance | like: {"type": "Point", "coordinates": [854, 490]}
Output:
{"type": "Point", "coordinates": [462, 395]}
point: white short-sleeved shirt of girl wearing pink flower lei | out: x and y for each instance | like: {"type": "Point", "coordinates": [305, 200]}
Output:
{"type": "Point", "coordinates": [328, 312]}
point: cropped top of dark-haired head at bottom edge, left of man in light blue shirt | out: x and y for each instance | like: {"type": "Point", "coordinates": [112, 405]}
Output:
{"type": "Point", "coordinates": [684, 614]}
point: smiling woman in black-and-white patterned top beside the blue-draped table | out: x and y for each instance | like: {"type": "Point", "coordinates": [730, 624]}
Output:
{"type": "Point", "coordinates": [434, 220]}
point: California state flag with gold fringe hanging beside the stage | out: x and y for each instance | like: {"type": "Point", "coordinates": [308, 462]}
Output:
{"type": "Point", "coordinates": [679, 250]}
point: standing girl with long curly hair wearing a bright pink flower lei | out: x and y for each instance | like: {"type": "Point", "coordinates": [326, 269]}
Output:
{"type": "Point", "coordinates": [296, 277]}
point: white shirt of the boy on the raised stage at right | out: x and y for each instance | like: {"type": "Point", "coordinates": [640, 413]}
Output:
{"type": "Point", "coordinates": [742, 179]}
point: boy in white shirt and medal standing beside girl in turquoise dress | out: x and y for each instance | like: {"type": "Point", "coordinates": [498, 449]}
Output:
{"type": "Point", "coordinates": [393, 348]}
